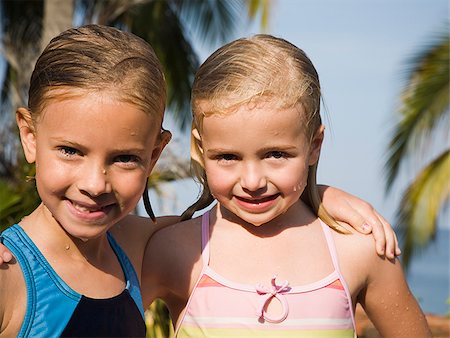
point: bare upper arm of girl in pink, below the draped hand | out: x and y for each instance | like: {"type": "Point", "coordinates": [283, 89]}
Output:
{"type": "Point", "coordinates": [389, 303]}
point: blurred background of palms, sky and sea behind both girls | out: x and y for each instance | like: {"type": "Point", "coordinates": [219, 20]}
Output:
{"type": "Point", "coordinates": [384, 69]}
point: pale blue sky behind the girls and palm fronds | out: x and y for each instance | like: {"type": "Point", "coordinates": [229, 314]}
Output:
{"type": "Point", "coordinates": [359, 48]}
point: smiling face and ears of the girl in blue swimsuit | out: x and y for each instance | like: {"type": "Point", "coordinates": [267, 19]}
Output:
{"type": "Point", "coordinates": [93, 155]}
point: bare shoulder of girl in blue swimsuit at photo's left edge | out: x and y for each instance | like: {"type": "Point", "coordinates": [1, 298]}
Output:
{"type": "Point", "coordinates": [13, 299]}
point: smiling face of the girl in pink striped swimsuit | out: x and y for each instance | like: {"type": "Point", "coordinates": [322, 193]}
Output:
{"type": "Point", "coordinates": [256, 160]}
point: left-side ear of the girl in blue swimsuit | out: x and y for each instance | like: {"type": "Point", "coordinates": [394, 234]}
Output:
{"type": "Point", "coordinates": [27, 133]}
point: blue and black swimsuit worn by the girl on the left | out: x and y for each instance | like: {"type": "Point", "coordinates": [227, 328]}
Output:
{"type": "Point", "coordinates": [55, 310]}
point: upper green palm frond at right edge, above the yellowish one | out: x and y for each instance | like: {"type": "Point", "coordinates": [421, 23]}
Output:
{"type": "Point", "coordinates": [424, 103]}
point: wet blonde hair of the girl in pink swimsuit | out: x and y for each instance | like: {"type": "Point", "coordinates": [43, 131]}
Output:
{"type": "Point", "coordinates": [246, 71]}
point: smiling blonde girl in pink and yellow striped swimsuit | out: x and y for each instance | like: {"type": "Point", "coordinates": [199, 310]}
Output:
{"type": "Point", "coordinates": [263, 262]}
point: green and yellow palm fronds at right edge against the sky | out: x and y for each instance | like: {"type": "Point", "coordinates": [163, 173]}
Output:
{"type": "Point", "coordinates": [424, 112]}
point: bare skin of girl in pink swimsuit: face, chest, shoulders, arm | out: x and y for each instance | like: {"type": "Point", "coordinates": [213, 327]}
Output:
{"type": "Point", "coordinates": [256, 161]}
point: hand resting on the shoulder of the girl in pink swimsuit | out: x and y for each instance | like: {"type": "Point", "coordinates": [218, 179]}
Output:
{"type": "Point", "coordinates": [361, 216]}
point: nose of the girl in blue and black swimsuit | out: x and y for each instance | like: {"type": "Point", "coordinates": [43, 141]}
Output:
{"type": "Point", "coordinates": [94, 181]}
